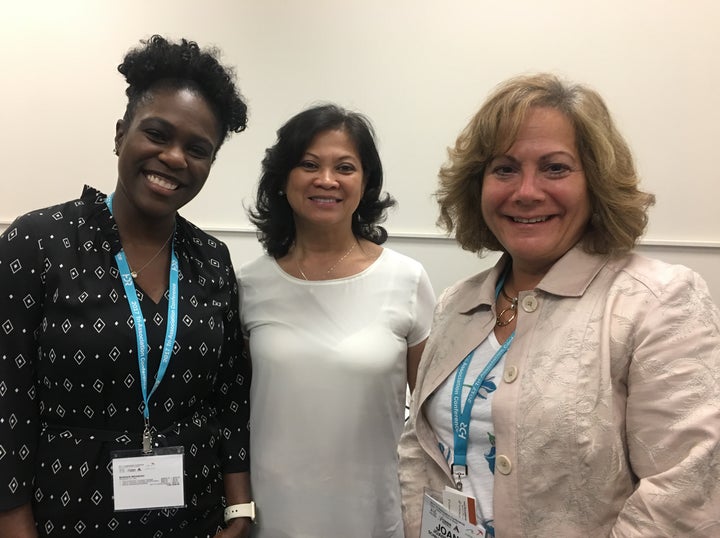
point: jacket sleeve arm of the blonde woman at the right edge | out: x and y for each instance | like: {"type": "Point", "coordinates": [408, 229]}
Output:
{"type": "Point", "coordinates": [673, 415]}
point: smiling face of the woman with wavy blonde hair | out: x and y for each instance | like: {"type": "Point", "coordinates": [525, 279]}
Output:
{"type": "Point", "coordinates": [534, 197]}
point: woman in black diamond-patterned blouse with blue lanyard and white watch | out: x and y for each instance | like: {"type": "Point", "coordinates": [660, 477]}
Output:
{"type": "Point", "coordinates": [125, 399]}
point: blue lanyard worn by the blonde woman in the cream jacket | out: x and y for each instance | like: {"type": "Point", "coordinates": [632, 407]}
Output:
{"type": "Point", "coordinates": [461, 417]}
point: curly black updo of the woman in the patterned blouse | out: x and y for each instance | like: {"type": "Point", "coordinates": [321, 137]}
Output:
{"type": "Point", "coordinates": [158, 63]}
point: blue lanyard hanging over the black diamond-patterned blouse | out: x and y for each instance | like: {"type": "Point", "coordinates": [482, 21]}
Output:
{"type": "Point", "coordinates": [141, 333]}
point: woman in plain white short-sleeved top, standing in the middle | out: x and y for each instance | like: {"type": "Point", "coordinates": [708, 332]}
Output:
{"type": "Point", "coordinates": [336, 326]}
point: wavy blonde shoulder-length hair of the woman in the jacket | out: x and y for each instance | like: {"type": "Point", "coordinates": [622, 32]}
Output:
{"type": "Point", "coordinates": [619, 208]}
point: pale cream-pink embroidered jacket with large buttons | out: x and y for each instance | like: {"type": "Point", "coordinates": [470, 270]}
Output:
{"type": "Point", "coordinates": [607, 421]}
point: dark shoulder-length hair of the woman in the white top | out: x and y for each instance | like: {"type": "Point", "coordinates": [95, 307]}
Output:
{"type": "Point", "coordinates": [272, 213]}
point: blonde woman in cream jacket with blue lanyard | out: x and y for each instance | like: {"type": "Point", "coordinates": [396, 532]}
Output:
{"type": "Point", "coordinates": [573, 389]}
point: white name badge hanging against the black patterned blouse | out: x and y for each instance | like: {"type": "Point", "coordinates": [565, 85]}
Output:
{"type": "Point", "coordinates": [150, 481]}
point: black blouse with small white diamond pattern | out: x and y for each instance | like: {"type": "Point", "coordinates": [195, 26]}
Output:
{"type": "Point", "coordinates": [69, 382]}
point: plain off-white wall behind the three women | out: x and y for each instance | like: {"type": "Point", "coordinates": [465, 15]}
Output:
{"type": "Point", "coordinates": [418, 68]}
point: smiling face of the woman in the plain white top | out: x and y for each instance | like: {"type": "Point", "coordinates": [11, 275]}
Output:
{"type": "Point", "coordinates": [325, 187]}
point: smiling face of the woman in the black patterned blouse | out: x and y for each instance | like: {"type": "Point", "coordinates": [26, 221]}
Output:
{"type": "Point", "coordinates": [165, 152]}
